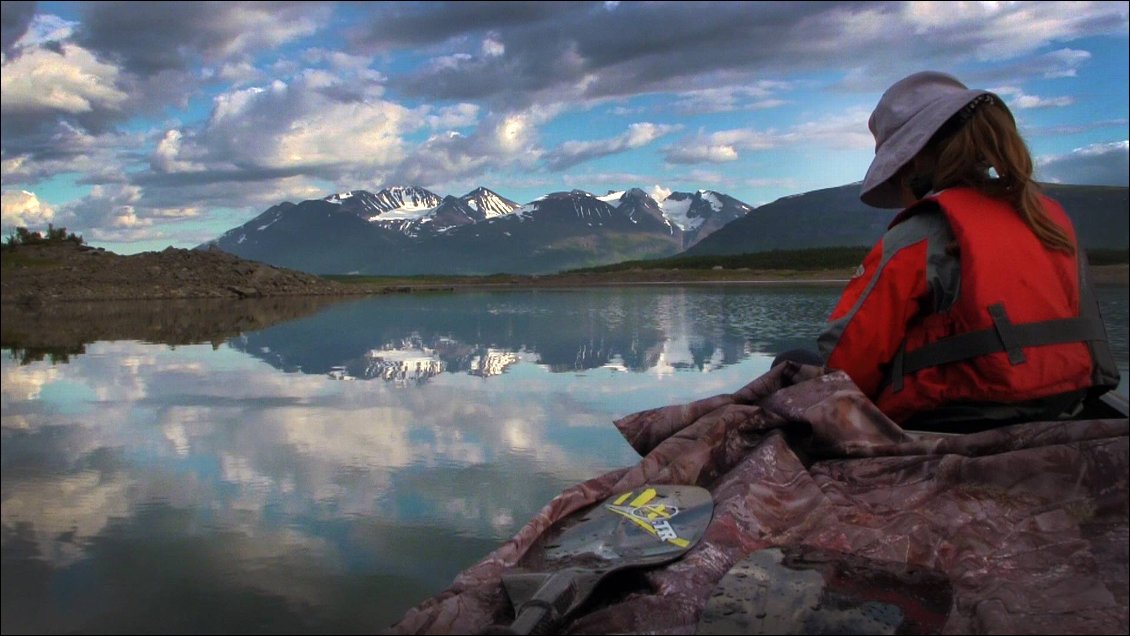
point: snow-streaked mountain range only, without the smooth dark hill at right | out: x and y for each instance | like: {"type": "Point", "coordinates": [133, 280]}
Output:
{"type": "Point", "coordinates": [412, 231]}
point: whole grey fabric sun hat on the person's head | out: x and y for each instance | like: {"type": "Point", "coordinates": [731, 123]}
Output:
{"type": "Point", "coordinates": [908, 116]}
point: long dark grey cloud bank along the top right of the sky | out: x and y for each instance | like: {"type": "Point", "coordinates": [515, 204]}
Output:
{"type": "Point", "coordinates": [586, 51]}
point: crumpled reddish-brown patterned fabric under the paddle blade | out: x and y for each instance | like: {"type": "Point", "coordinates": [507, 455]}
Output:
{"type": "Point", "coordinates": [1029, 524]}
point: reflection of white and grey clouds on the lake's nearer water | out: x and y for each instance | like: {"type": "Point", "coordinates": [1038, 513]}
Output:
{"type": "Point", "coordinates": [204, 486]}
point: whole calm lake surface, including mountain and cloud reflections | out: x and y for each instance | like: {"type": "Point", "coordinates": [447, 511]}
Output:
{"type": "Point", "coordinates": [327, 474]}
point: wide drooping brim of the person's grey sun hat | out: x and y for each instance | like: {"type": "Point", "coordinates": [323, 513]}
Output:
{"type": "Point", "coordinates": [905, 144]}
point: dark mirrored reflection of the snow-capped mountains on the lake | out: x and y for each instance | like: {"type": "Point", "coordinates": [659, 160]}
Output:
{"type": "Point", "coordinates": [412, 339]}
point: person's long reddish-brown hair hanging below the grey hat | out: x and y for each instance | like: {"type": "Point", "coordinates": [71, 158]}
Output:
{"type": "Point", "coordinates": [985, 138]}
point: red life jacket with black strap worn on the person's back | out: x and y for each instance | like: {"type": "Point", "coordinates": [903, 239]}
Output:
{"type": "Point", "coordinates": [1015, 332]}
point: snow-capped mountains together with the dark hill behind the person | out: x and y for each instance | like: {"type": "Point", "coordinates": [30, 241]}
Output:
{"type": "Point", "coordinates": [411, 231]}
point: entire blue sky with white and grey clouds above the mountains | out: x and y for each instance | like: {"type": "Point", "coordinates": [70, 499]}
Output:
{"type": "Point", "coordinates": [147, 125]}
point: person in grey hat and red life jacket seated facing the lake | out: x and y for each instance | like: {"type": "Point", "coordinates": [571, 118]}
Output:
{"type": "Point", "coordinates": [975, 309]}
